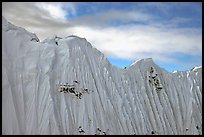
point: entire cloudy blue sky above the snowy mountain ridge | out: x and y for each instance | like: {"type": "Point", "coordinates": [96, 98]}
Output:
{"type": "Point", "coordinates": [168, 32]}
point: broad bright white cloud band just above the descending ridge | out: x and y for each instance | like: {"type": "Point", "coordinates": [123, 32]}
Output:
{"type": "Point", "coordinates": [133, 42]}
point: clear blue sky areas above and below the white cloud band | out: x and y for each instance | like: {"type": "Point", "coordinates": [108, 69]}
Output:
{"type": "Point", "coordinates": [185, 15]}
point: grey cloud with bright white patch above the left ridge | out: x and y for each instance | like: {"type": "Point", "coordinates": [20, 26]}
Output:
{"type": "Point", "coordinates": [44, 19]}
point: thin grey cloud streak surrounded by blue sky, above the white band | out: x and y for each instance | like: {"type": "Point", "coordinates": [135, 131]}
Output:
{"type": "Point", "coordinates": [105, 18]}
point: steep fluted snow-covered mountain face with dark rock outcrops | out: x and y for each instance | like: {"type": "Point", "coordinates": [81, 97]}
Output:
{"type": "Point", "coordinates": [65, 86]}
